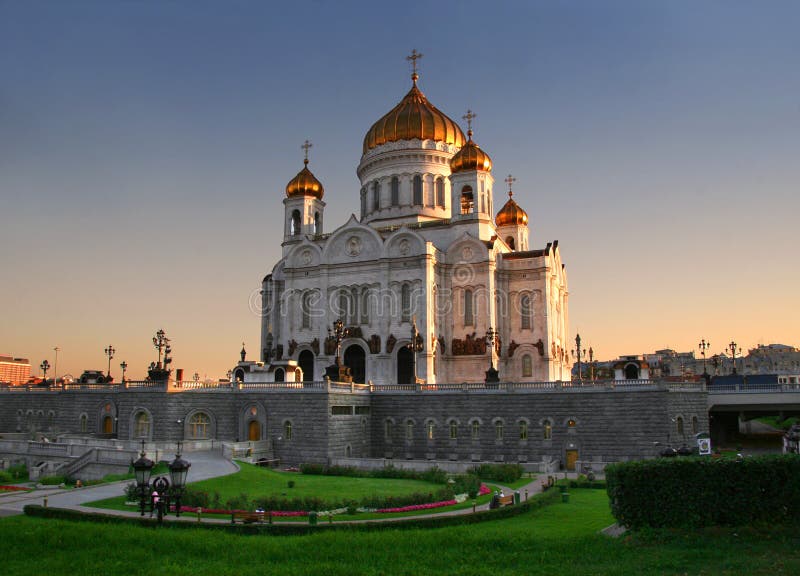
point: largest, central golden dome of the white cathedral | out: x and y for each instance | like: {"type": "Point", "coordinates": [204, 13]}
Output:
{"type": "Point", "coordinates": [414, 118]}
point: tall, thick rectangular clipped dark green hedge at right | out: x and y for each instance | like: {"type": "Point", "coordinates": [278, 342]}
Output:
{"type": "Point", "coordinates": [697, 492]}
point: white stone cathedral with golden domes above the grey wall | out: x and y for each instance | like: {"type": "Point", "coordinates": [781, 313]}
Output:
{"type": "Point", "coordinates": [429, 283]}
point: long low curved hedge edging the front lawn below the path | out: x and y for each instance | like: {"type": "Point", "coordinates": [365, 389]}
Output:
{"type": "Point", "coordinates": [300, 528]}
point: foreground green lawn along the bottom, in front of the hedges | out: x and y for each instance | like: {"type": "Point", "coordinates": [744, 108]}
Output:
{"type": "Point", "coordinates": [559, 539]}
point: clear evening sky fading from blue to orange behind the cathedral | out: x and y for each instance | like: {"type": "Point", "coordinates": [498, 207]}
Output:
{"type": "Point", "coordinates": [145, 147]}
